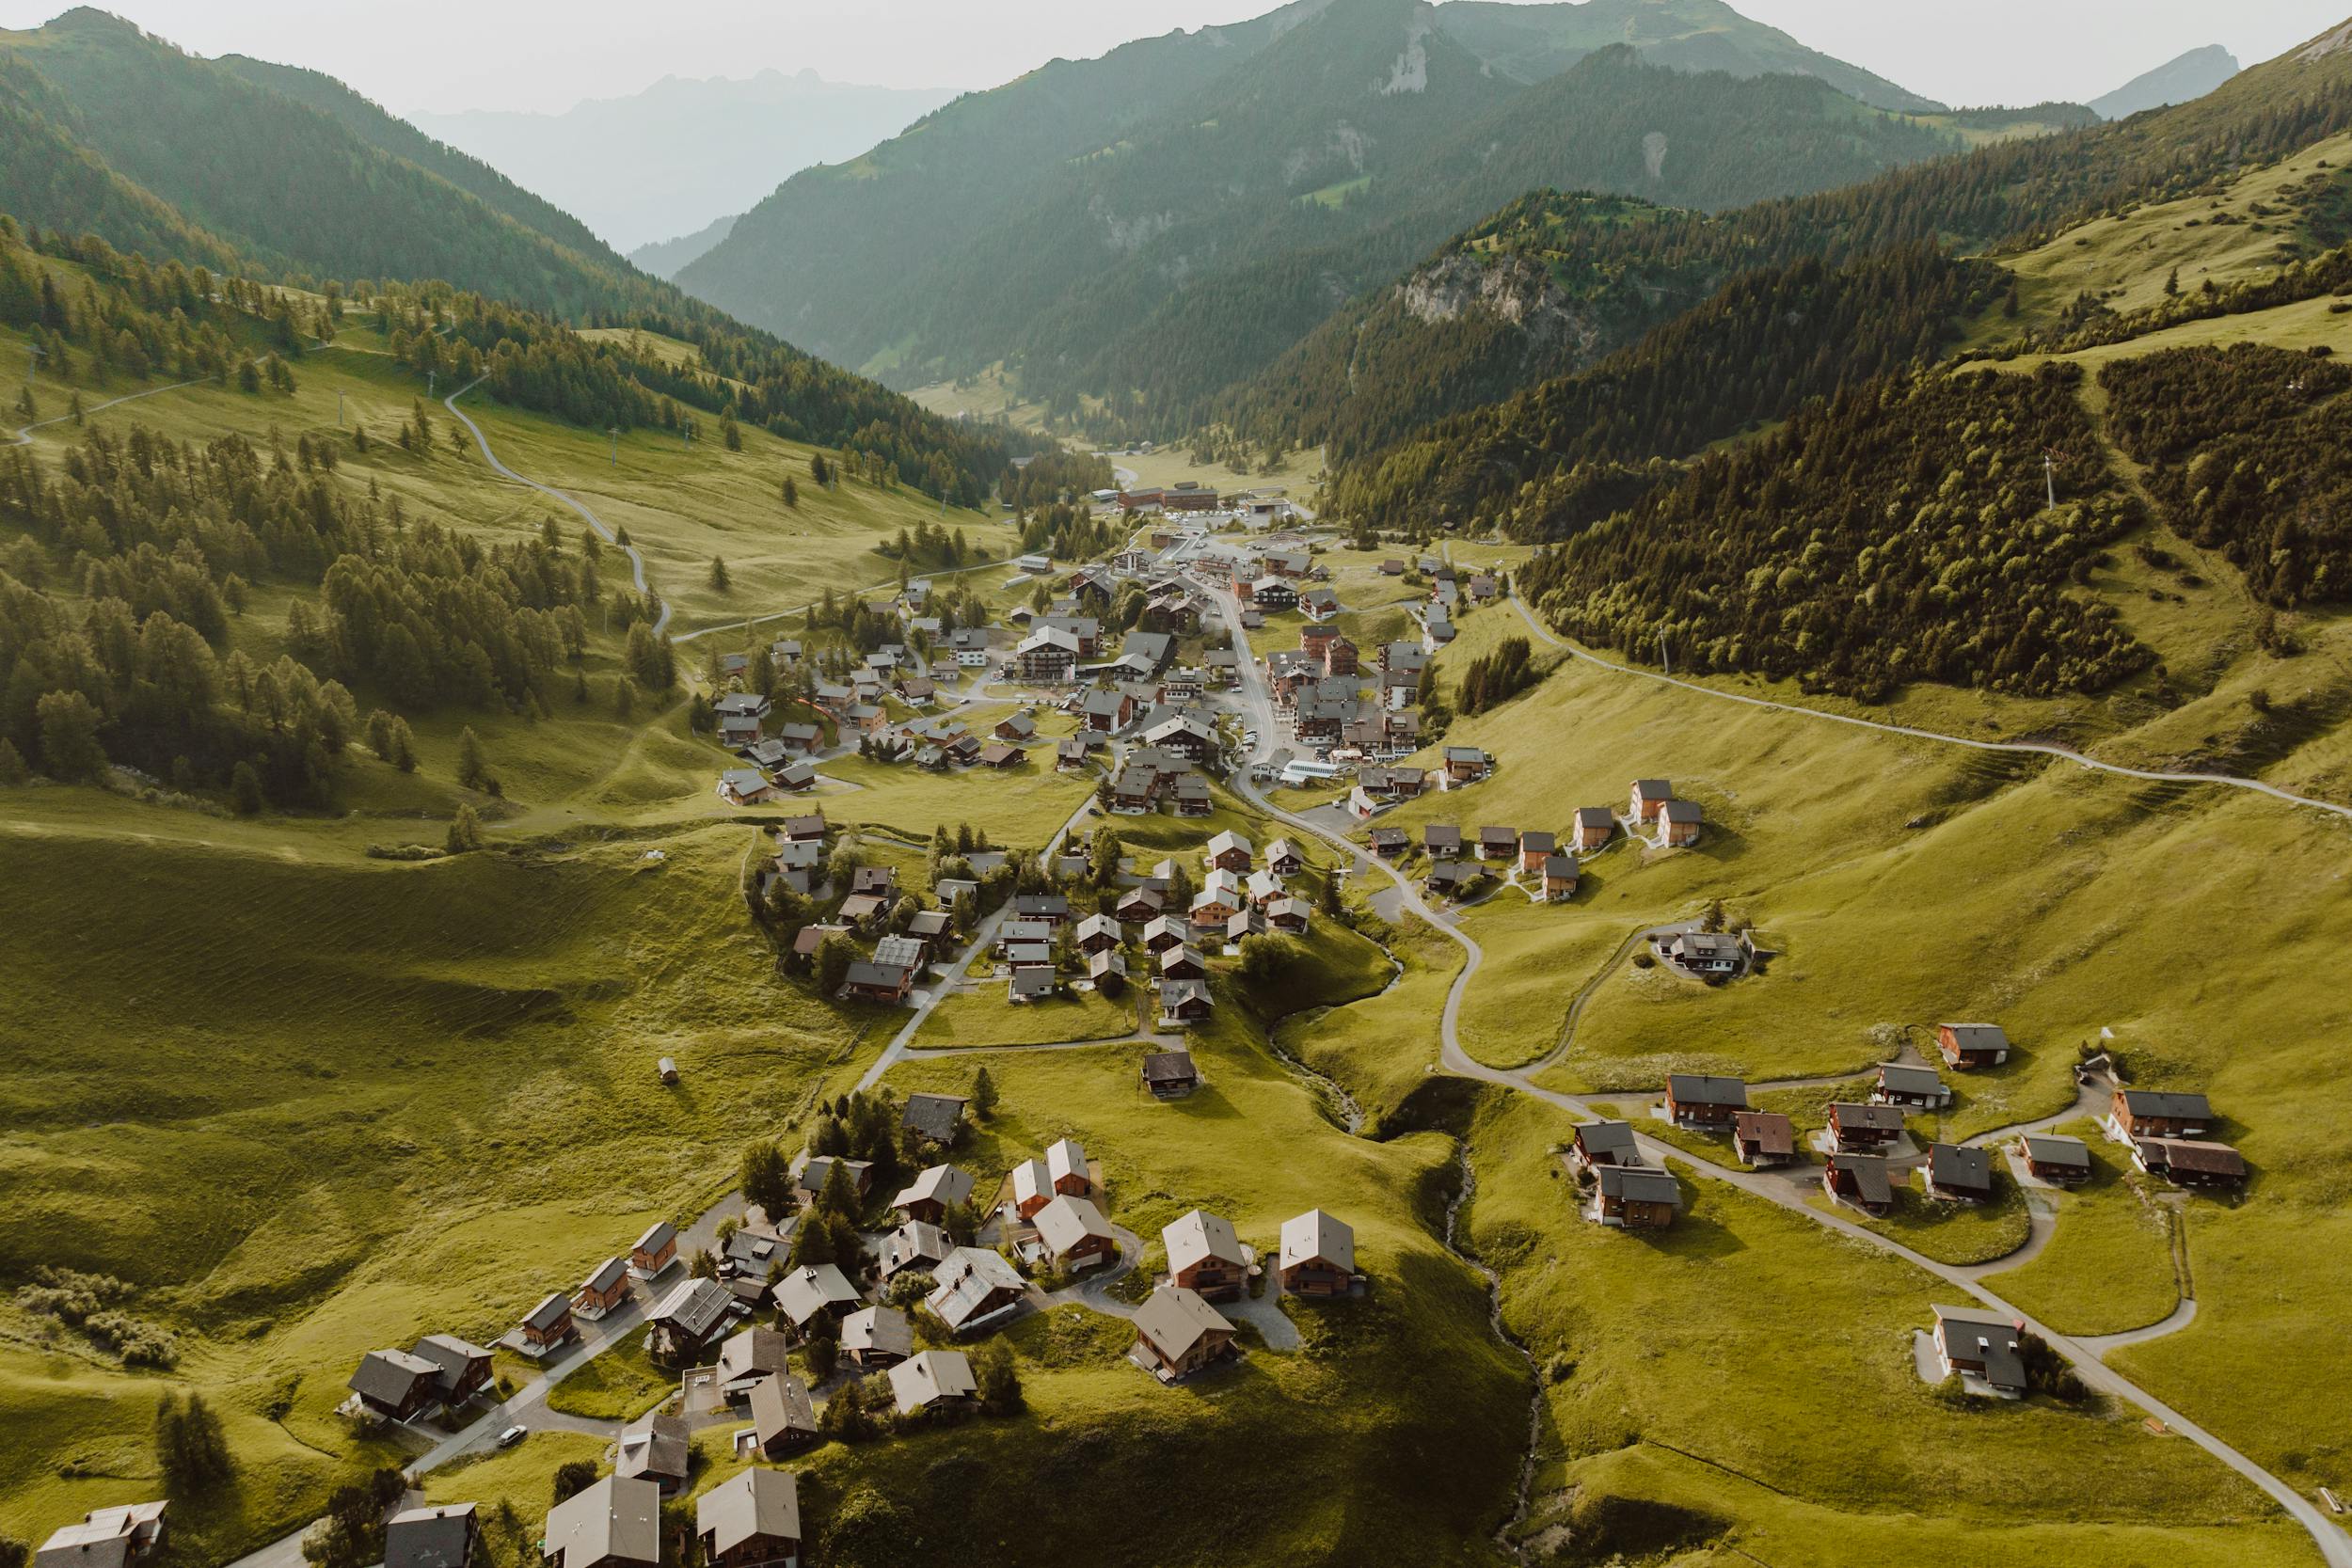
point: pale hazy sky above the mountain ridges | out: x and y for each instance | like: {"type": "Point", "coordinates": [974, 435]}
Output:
{"type": "Point", "coordinates": [448, 55]}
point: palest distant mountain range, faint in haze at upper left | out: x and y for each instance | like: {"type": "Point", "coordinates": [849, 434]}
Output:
{"type": "Point", "coordinates": [664, 163]}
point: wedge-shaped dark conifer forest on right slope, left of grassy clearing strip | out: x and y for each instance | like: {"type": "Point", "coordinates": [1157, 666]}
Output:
{"type": "Point", "coordinates": [1887, 535]}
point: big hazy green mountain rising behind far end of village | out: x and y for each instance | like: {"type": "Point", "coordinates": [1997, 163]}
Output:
{"type": "Point", "coordinates": [1177, 213]}
